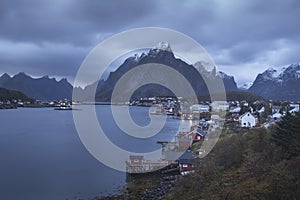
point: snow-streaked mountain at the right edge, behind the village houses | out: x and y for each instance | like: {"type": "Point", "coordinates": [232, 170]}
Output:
{"type": "Point", "coordinates": [283, 84]}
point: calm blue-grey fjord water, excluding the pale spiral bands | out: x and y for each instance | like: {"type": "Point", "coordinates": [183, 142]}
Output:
{"type": "Point", "coordinates": [42, 157]}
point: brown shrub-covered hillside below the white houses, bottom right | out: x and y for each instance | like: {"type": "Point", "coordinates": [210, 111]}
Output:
{"type": "Point", "coordinates": [247, 166]}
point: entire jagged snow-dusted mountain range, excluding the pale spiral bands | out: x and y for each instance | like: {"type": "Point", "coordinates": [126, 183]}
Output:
{"type": "Point", "coordinates": [271, 84]}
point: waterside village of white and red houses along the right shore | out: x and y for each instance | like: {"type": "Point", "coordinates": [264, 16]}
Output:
{"type": "Point", "coordinates": [180, 153]}
